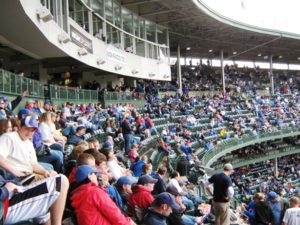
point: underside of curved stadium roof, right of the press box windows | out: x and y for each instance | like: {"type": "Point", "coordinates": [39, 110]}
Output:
{"type": "Point", "coordinates": [189, 26]}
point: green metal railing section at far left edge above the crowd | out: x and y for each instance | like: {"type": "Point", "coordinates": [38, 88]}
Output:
{"type": "Point", "coordinates": [14, 84]}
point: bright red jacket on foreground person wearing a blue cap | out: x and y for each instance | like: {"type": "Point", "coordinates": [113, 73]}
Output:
{"type": "Point", "coordinates": [93, 206]}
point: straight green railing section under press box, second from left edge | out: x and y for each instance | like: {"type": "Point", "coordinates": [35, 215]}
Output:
{"type": "Point", "coordinates": [72, 94]}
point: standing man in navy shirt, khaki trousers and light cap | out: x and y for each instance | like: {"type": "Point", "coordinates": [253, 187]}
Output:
{"type": "Point", "coordinates": [223, 192]}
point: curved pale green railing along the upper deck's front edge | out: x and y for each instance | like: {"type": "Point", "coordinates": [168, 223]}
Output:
{"type": "Point", "coordinates": [232, 144]}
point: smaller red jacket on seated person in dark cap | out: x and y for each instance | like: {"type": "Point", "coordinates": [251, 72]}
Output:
{"type": "Point", "coordinates": [141, 197]}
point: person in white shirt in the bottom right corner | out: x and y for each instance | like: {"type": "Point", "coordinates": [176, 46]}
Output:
{"type": "Point", "coordinates": [292, 215]}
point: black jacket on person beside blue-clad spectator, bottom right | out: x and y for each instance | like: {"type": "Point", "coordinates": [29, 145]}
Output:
{"type": "Point", "coordinates": [263, 213]}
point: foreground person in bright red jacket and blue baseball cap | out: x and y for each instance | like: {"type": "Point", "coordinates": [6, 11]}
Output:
{"type": "Point", "coordinates": [92, 204]}
